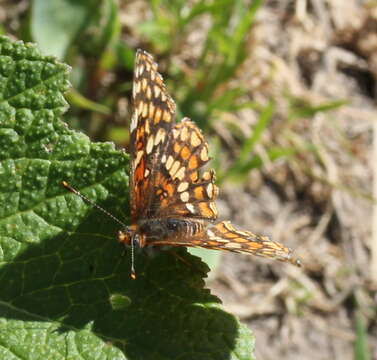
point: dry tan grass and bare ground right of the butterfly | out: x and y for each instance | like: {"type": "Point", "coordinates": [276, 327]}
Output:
{"type": "Point", "coordinates": [320, 203]}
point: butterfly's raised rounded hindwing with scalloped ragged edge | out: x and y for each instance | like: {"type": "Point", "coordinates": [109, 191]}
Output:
{"type": "Point", "coordinates": [180, 190]}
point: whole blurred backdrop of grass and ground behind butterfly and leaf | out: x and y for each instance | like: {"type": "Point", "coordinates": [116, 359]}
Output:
{"type": "Point", "coordinates": [285, 93]}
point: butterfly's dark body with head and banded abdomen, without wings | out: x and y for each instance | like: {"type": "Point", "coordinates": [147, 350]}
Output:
{"type": "Point", "coordinates": [156, 230]}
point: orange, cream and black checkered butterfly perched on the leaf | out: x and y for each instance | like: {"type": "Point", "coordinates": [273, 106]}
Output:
{"type": "Point", "coordinates": [172, 201]}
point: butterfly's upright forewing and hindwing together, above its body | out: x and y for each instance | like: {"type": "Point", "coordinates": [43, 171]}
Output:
{"type": "Point", "coordinates": [165, 156]}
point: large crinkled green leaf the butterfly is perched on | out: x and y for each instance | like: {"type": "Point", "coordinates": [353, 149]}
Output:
{"type": "Point", "coordinates": [65, 286]}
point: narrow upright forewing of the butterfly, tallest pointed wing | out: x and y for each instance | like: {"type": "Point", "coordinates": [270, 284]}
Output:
{"type": "Point", "coordinates": [152, 120]}
